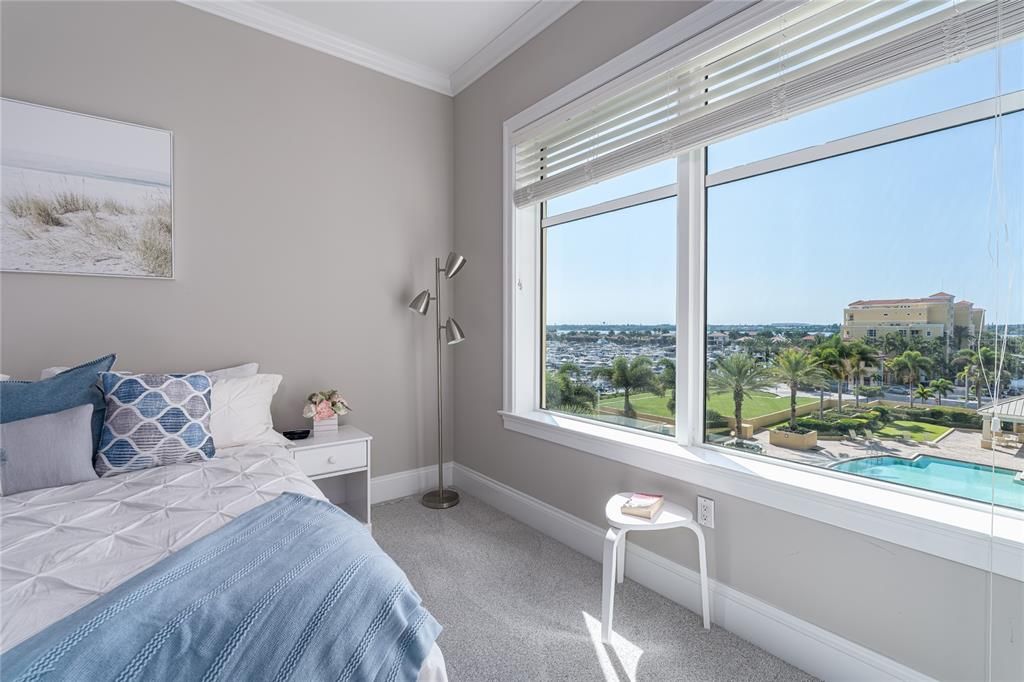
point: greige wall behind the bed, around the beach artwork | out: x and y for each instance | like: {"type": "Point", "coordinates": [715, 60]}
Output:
{"type": "Point", "coordinates": [290, 167]}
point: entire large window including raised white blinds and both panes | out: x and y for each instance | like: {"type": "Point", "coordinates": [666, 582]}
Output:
{"type": "Point", "coordinates": [801, 246]}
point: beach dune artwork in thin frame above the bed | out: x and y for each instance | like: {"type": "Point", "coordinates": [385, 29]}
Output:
{"type": "Point", "coordinates": [83, 195]}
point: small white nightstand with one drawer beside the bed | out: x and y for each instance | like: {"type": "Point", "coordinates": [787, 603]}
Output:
{"type": "Point", "coordinates": [339, 462]}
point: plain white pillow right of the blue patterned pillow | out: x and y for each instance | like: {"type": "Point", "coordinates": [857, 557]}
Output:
{"type": "Point", "coordinates": [241, 412]}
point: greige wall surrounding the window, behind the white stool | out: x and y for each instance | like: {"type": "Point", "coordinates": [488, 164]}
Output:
{"type": "Point", "coordinates": [926, 613]}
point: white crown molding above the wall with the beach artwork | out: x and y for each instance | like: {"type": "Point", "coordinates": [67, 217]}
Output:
{"type": "Point", "coordinates": [282, 25]}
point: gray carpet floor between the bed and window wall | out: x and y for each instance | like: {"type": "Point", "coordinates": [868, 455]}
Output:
{"type": "Point", "coordinates": [519, 606]}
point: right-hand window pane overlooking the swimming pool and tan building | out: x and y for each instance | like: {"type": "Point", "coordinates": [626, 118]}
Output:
{"type": "Point", "coordinates": [860, 293]}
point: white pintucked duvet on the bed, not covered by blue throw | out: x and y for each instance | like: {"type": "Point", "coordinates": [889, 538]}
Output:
{"type": "Point", "coordinates": [64, 548]}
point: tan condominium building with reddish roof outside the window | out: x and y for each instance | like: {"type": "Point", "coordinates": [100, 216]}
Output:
{"type": "Point", "coordinates": [936, 317]}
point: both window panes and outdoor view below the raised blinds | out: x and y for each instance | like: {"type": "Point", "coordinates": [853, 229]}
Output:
{"type": "Point", "coordinates": [857, 262]}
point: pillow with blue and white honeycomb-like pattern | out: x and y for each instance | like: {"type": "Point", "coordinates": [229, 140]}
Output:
{"type": "Point", "coordinates": [154, 420]}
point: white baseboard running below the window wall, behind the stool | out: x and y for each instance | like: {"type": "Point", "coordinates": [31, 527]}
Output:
{"type": "Point", "coordinates": [807, 647]}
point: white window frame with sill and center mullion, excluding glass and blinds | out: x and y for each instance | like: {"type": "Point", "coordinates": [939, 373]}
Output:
{"type": "Point", "coordinates": [982, 536]}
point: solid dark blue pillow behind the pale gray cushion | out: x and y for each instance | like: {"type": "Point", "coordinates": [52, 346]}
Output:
{"type": "Point", "coordinates": [79, 386]}
